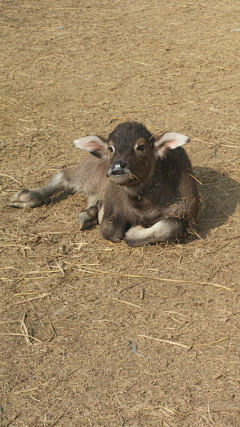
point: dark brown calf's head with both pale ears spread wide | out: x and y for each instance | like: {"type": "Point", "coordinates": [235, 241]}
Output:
{"type": "Point", "coordinates": [132, 151]}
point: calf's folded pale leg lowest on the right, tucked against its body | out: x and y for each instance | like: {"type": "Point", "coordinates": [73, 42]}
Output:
{"type": "Point", "coordinates": [163, 231]}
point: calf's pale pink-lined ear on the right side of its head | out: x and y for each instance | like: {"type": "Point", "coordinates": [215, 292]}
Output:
{"type": "Point", "coordinates": [169, 141]}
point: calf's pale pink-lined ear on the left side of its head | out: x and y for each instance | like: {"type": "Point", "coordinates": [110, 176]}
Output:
{"type": "Point", "coordinates": [93, 144]}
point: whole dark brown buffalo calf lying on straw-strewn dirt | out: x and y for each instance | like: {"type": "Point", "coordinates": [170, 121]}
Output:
{"type": "Point", "coordinates": [139, 186]}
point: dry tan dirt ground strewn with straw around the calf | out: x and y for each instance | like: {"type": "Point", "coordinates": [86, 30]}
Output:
{"type": "Point", "coordinates": [100, 334]}
